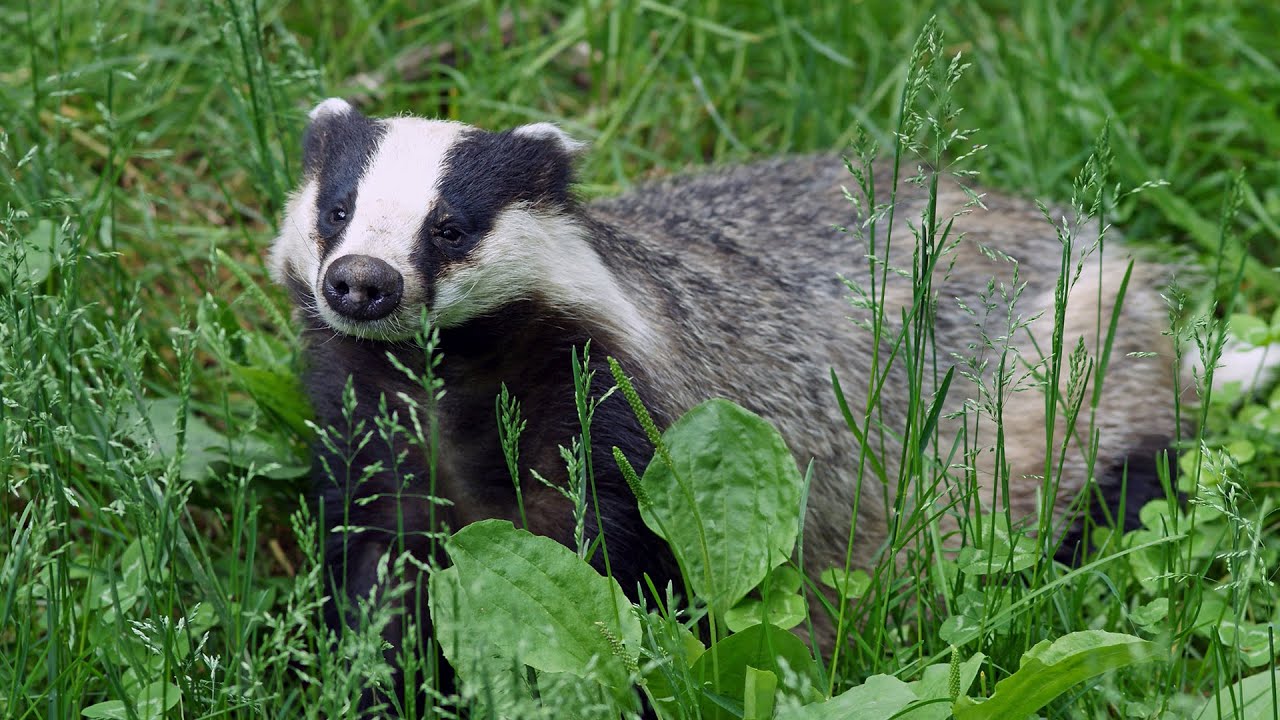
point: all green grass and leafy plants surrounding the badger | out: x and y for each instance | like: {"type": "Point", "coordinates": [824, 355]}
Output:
{"type": "Point", "coordinates": [157, 558]}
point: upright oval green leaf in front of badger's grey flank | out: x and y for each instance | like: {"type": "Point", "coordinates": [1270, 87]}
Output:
{"type": "Point", "coordinates": [730, 509]}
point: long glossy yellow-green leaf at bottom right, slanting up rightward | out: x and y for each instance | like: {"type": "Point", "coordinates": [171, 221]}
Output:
{"type": "Point", "coordinates": [1052, 668]}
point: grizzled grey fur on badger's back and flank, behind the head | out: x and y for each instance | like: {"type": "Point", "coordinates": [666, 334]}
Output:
{"type": "Point", "coordinates": [748, 261]}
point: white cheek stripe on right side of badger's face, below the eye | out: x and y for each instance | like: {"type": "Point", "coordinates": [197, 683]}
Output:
{"type": "Point", "coordinates": [525, 257]}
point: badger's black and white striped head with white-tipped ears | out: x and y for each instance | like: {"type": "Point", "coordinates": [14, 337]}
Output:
{"type": "Point", "coordinates": [400, 215]}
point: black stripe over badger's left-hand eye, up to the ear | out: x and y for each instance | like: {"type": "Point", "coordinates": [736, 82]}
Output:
{"type": "Point", "coordinates": [337, 151]}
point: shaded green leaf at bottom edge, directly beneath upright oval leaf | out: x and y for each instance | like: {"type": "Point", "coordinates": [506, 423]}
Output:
{"type": "Point", "coordinates": [723, 671]}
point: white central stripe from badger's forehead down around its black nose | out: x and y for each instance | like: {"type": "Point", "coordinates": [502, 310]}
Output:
{"type": "Point", "coordinates": [394, 198]}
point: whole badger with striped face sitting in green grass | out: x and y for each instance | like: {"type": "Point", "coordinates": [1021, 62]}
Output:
{"type": "Point", "coordinates": [728, 284]}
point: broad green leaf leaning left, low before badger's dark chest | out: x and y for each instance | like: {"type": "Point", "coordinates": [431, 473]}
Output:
{"type": "Point", "coordinates": [532, 599]}
